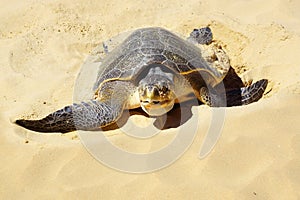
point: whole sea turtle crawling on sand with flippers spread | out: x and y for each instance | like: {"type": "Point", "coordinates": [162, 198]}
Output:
{"type": "Point", "coordinates": [152, 69]}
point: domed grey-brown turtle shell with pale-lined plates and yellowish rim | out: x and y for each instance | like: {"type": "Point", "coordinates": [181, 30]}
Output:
{"type": "Point", "coordinates": [147, 46]}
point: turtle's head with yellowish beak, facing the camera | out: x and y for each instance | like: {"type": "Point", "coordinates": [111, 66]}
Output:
{"type": "Point", "coordinates": [156, 92]}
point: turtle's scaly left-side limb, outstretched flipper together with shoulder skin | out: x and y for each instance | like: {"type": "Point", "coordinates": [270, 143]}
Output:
{"type": "Point", "coordinates": [86, 115]}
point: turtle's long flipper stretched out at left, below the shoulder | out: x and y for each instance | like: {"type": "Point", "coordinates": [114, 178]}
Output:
{"type": "Point", "coordinates": [84, 116]}
